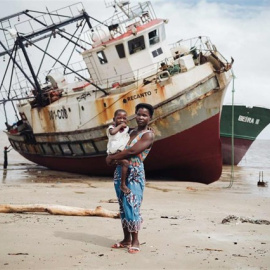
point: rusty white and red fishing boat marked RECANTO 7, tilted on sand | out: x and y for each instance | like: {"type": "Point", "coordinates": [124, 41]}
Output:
{"type": "Point", "coordinates": [126, 60]}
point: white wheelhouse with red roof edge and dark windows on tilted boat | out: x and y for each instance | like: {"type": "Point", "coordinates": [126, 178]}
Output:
{"type": "Point", "coordinates": [128, 57]}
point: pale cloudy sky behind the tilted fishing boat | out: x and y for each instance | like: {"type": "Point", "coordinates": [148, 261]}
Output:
{"type": "Point", "coordinates": [238, 28]}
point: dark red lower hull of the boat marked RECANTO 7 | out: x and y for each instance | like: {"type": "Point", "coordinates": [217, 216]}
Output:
{"type": "Point", "coordinates": [192, 155]}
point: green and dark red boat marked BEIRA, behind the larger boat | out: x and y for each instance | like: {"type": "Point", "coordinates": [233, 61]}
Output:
{"type": "Point", "coordinates": [248, 123]}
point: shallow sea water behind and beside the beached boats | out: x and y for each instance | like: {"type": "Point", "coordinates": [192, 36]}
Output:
{"type": "Point", "coordinates": [254, 164]}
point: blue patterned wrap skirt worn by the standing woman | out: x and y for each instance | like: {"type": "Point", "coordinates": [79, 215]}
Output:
{"type": "Point", "coordinates": [130, 204]}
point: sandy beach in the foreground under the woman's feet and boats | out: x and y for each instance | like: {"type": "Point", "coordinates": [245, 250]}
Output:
{"type": "Point", "coordinates": [182, 226]}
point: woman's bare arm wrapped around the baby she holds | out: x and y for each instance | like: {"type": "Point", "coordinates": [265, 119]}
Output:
{"type": "Point", "coordinates": [144, 143]}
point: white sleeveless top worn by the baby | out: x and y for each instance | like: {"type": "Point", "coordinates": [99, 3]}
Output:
{"type": "Point", "coordinates": [118, 141]}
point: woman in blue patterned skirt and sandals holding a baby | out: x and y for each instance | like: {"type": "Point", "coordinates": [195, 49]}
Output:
{"type": "Point", "coordinates": [137, 149]}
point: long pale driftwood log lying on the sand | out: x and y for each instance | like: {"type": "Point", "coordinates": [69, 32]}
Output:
{"type": "Point", "coordinates": [58, 210]}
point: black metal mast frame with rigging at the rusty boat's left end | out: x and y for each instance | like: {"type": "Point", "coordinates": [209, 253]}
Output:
{"type": "Point", "coordinates": [14, 41]}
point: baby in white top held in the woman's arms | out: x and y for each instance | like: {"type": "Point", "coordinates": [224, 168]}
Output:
{"type": "Point", "coordinates": [118, 137]}
